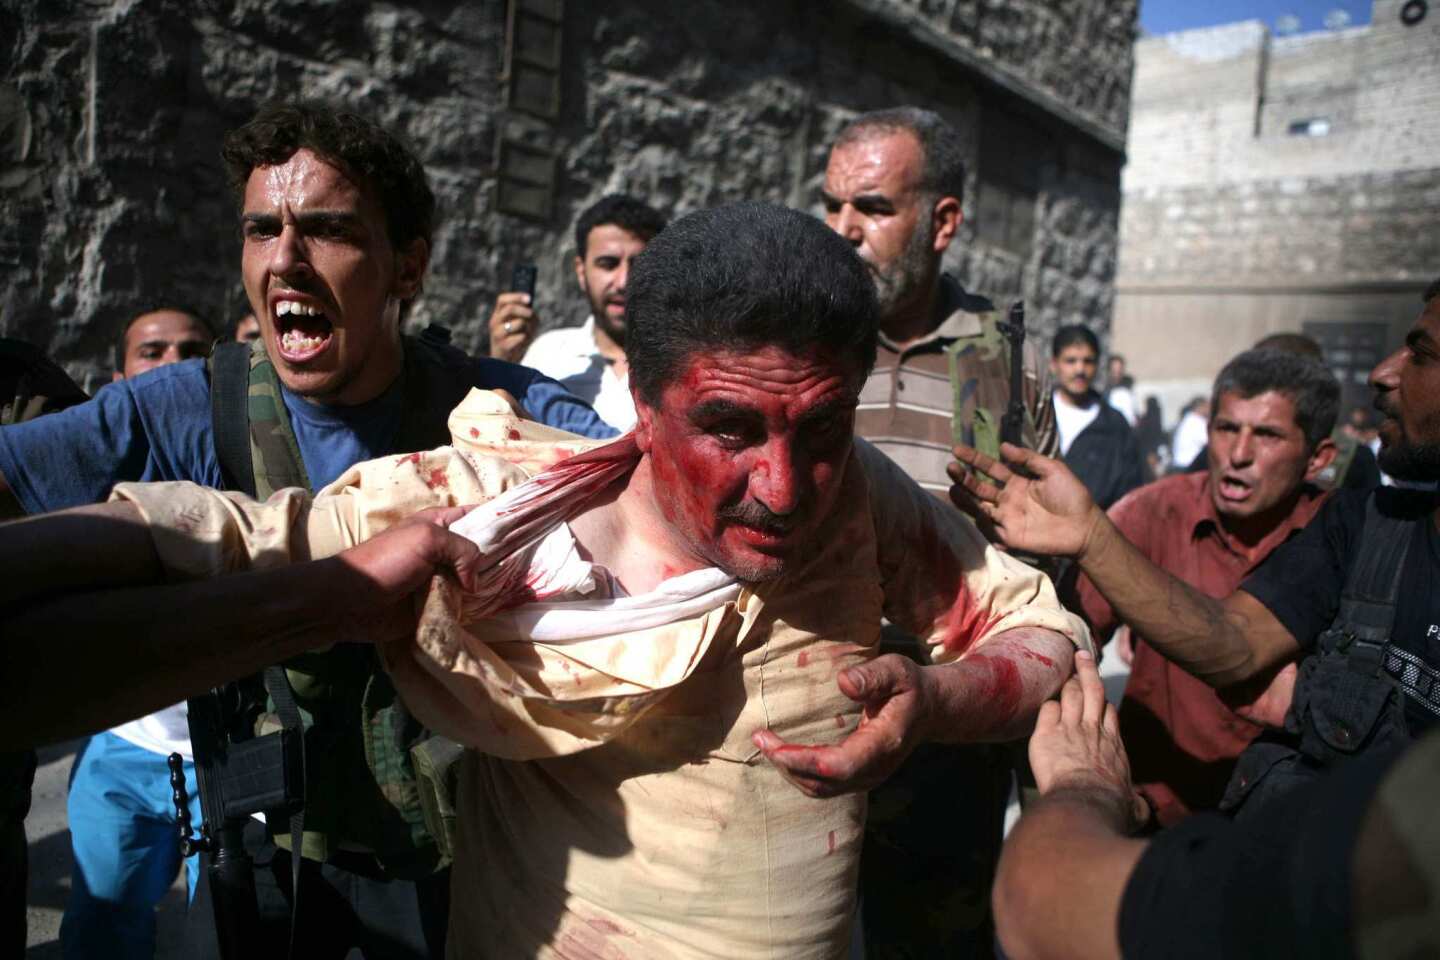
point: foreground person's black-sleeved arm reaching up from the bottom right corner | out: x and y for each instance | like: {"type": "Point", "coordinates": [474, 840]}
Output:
{"type": "Point", "coordinates": [1344, 867]}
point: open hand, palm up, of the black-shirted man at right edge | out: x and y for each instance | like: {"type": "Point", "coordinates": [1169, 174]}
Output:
{"type": "Point", "coordinates": [1050, 515]}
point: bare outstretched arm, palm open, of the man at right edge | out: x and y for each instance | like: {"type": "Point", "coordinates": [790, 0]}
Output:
{"type": "Point", "coordinates": [1045, 509]}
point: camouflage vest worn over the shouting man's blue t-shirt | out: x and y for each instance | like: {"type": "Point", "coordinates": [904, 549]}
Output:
{"type": "Point", "coordinates": [361, 782]}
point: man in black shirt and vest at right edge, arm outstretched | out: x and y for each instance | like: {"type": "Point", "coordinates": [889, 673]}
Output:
{"type": "Point", "coordinates": [1370, 673]}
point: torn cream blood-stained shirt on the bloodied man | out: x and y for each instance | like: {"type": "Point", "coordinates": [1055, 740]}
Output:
{"type": "Point", "coordinates": [614, 804]}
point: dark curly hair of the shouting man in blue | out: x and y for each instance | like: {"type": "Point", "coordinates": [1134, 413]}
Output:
{"type": "Point", "coordinates": [356, 146]}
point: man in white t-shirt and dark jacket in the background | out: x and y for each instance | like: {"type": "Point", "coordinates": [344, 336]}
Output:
{"type": "Point", "coordinates": [1095, 440]}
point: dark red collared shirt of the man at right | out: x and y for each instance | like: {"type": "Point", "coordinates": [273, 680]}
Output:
{"type": "Point", "coordinates": [1182, 738]}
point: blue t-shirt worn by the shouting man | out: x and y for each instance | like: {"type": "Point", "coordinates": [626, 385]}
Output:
{"type": "Point", "coordinates": [158, 428]}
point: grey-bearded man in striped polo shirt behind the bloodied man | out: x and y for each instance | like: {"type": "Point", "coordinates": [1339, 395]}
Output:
{"type": "Point", "coordinates": [894, 189]}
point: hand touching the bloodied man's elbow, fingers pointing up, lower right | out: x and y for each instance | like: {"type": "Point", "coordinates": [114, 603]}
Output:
{"type": "Point", "coordinates": [1078, 743]}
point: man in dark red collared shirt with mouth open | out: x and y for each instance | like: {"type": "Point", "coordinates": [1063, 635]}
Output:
{"type": "Point", "coordinates": [1269, 440]}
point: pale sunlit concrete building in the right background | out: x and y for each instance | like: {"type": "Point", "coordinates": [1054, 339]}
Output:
{"type": "Point", "coordinates": [1279, 185]}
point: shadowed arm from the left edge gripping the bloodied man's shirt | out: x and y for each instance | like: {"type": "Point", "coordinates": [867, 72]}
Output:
{"type": "Point", "coordinates": [87, 651]}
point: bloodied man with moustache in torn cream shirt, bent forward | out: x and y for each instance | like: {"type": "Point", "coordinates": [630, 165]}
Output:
{"type": "Point", "coordinates": [670, 677]}
